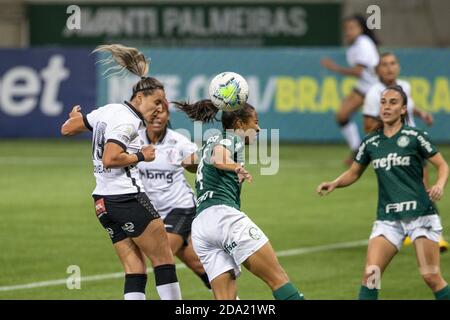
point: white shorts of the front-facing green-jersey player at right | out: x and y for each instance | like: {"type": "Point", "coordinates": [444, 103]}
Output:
{"type": "Point", "coordinates": [396, 231]}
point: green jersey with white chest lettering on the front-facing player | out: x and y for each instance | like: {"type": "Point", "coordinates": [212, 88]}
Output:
{"type": "Point", "coordinates": [398, 163]}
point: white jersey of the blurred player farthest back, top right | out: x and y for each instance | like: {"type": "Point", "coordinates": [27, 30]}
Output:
{"type": "Point", "coordinates": [364, 52]}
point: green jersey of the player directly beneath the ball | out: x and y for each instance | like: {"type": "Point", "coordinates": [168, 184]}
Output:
{"type": "Point", "coordinates": [214, 186]}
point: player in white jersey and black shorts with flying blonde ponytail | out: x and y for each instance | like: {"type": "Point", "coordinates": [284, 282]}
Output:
{"type": "Point", "coordinates": [121, 205]}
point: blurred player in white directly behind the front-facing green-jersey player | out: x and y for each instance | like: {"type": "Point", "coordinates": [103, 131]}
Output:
{"type": "Point", "coordinates": [388, 71]}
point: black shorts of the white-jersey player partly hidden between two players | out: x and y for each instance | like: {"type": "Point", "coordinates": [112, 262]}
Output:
{"type": "Point", "coordinates": [179, 221]}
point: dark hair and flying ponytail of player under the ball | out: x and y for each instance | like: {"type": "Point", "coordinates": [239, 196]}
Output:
{"type": "Point", "coordinates": [206, 111]}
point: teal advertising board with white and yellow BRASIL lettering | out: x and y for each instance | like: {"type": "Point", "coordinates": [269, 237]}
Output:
{"type": "Point", "coordinates": [291, 91]}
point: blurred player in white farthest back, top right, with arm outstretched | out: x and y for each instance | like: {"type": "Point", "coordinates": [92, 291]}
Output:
{"type": "Point", "coordinates": [362, 56]}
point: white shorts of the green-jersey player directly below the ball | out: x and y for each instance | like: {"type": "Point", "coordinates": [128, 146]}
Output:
{"type": "Point", "coordinates": [224, 238]}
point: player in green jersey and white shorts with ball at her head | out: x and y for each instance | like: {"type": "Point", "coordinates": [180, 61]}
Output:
{"type": "Point", "coordinates": [224, 237]}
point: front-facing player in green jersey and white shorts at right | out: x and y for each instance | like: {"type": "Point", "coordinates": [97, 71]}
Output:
{"type": "Point", "coordinates": [405, 206]}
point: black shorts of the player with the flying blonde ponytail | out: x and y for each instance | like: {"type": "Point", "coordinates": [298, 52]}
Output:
{"type": "Point", "coordinates": [124, 216]}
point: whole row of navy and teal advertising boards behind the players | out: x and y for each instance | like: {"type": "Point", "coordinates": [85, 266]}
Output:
{"type": "Point", "coordinates": [289, 88]}
